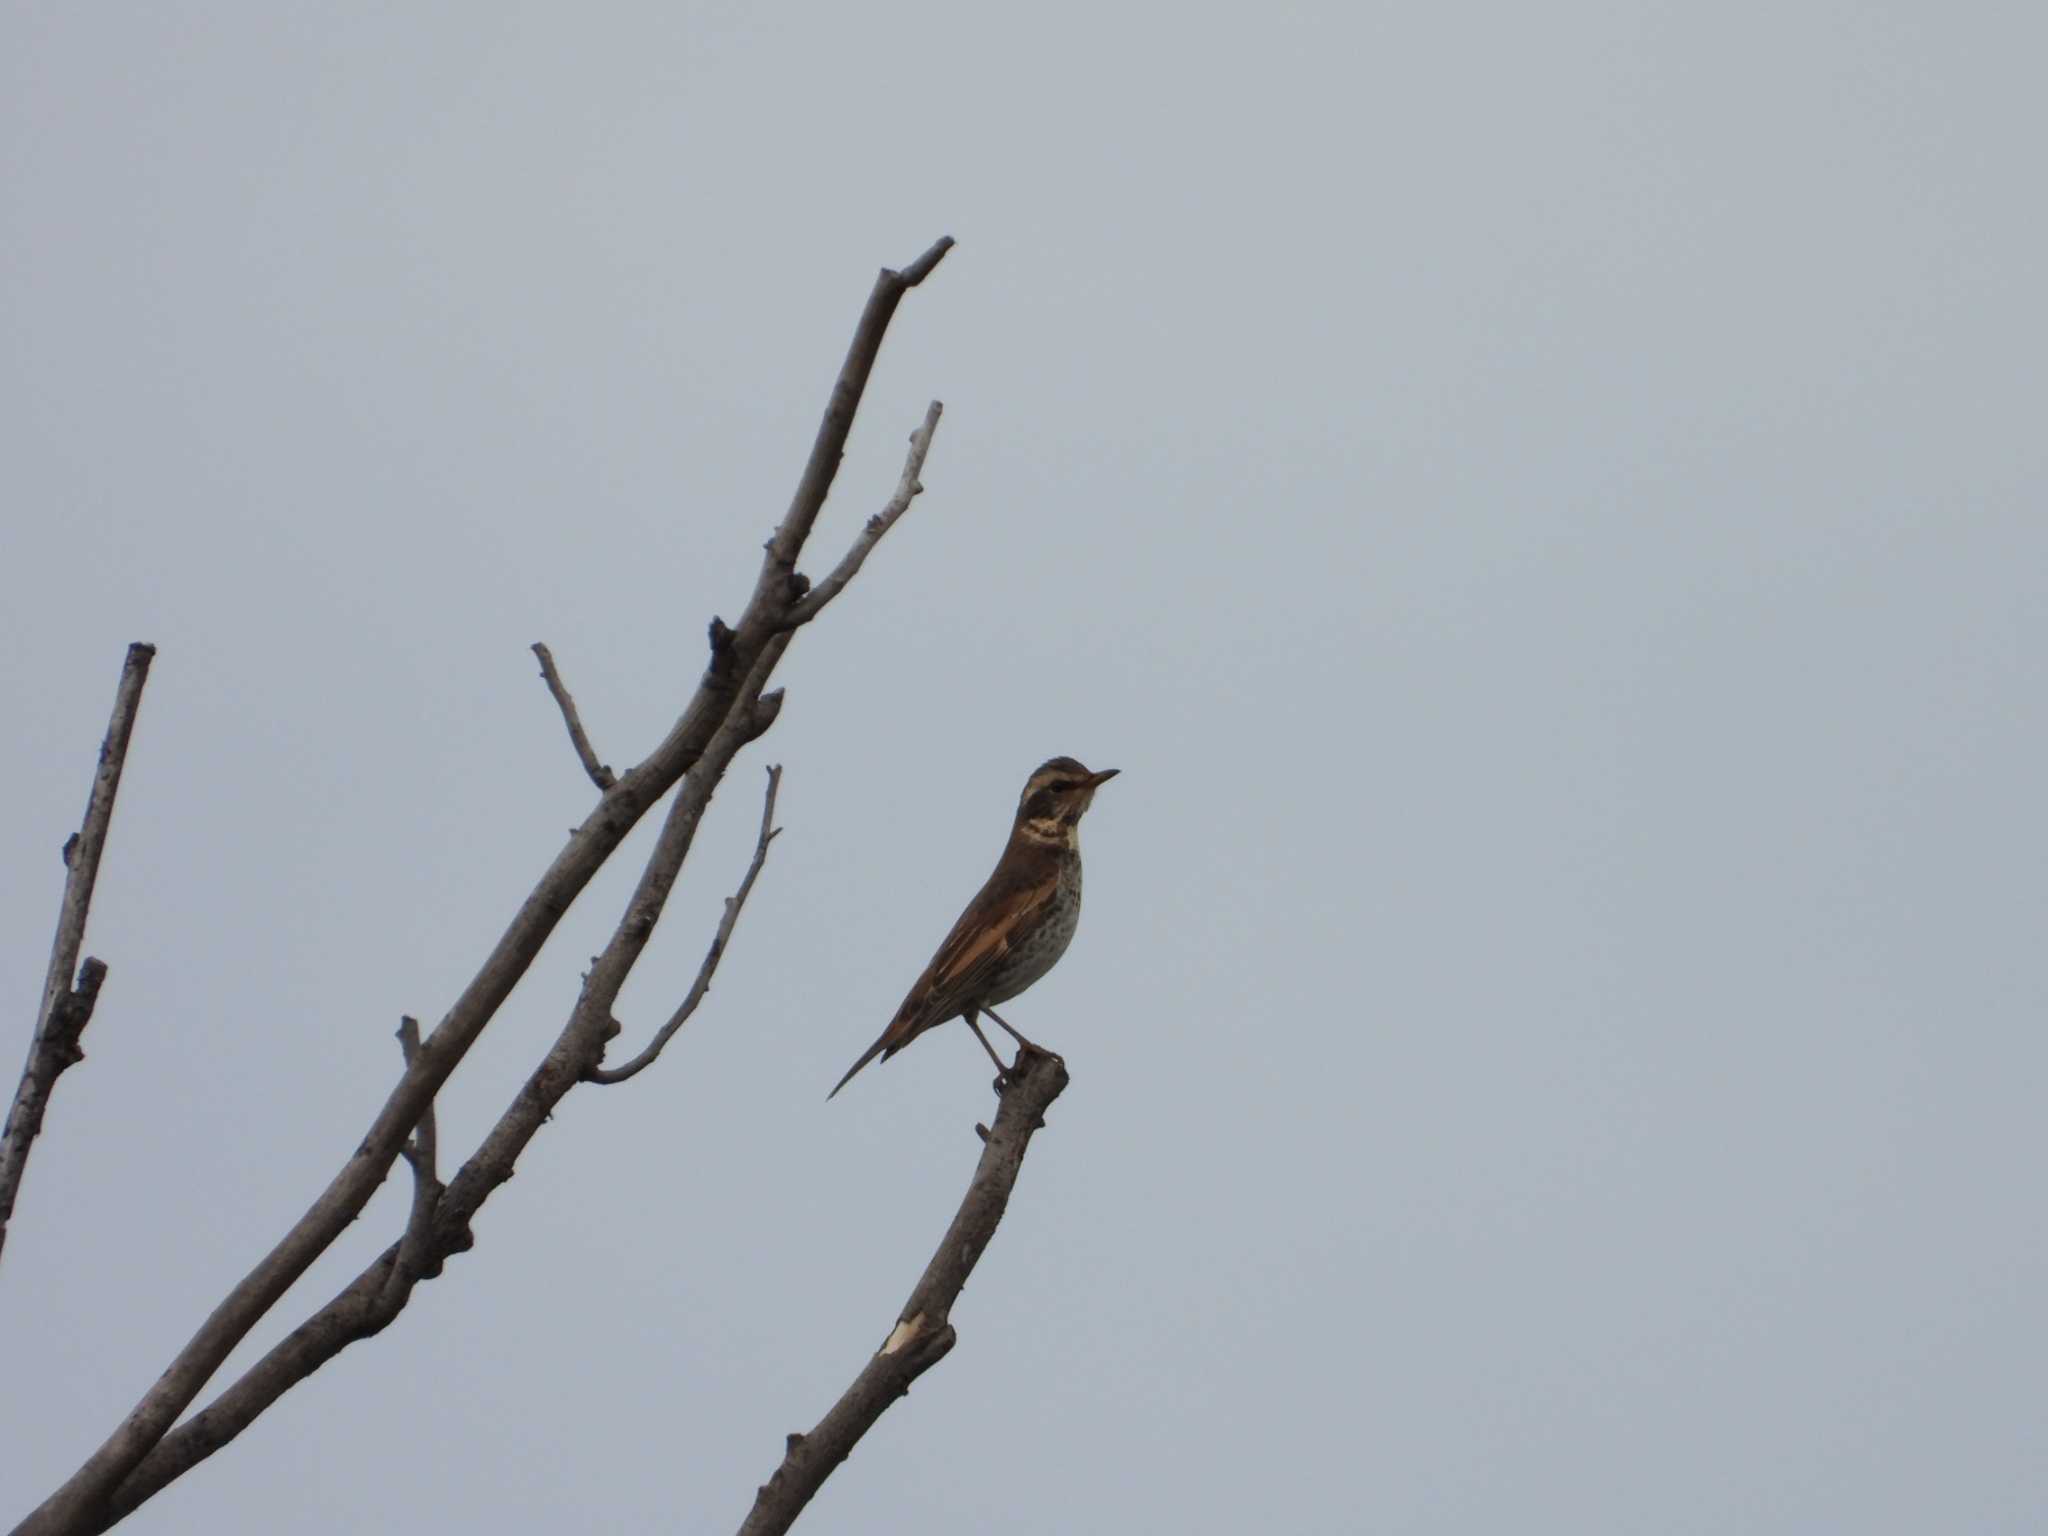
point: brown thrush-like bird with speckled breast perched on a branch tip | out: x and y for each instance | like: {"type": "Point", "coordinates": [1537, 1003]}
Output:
{"type": "Point", "coordinates": [1015, 929]}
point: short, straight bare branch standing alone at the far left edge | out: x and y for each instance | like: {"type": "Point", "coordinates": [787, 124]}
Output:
{"type": "Point", "coordinates": [67, 1011]}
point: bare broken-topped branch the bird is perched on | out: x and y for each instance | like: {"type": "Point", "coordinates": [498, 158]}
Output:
{"type": "Point", "coordinates": [923, 1334]}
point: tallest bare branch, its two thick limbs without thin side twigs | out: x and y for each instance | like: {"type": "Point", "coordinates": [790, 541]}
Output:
{"type": "Point", "coordinates": [728, 710]}
